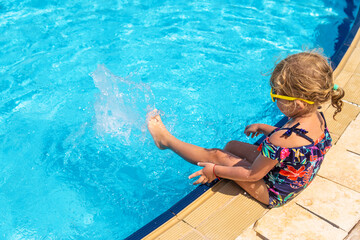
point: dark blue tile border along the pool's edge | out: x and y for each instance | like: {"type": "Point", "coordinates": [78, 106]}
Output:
{"type": "Point", "coordinates": [197, 192]}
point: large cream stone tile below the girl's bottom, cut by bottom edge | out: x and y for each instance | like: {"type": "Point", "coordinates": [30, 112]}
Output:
{"type": "Point", "coordinates": [292, 222]}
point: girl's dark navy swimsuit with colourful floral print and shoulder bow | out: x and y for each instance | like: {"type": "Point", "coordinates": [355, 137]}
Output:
{"type": "Point", "coordinates": [296, 166]}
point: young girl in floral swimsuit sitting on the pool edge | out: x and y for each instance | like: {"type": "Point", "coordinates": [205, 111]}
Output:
{"type": "Point", "coordinates": [289, 158]}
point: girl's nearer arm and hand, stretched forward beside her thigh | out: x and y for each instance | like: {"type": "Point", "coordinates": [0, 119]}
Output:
{"type": "Point", "coordinates": [261, 166]}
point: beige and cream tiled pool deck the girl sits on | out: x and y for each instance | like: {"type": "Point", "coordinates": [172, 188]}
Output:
{"type": "Point", "coordinates": [328, 209]}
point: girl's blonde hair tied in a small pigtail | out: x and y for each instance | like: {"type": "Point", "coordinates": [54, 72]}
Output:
{"type": "Point", "coordinates": [309, 76]}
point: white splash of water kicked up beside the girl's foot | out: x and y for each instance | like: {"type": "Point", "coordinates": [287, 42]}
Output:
{"type": "Point", "coordinates": [121, 105]}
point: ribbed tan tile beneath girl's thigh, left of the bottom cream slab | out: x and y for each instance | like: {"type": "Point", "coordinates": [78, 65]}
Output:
{"type": "Point", "coordinates": [231, 220]}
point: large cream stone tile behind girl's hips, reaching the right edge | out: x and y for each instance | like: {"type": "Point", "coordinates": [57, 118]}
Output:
{"type": "Point", "coordinates": [333, 202]}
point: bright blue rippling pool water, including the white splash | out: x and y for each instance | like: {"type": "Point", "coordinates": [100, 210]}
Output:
{"type": "Point", "coordinates": [78, 77]}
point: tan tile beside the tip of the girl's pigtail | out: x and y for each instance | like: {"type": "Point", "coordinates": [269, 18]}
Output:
{"type": "Point", "coordinates": [343, 119]}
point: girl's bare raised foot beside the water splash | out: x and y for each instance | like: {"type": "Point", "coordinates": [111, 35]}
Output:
{"type": "Point", "coordinates": [157, 129]}
